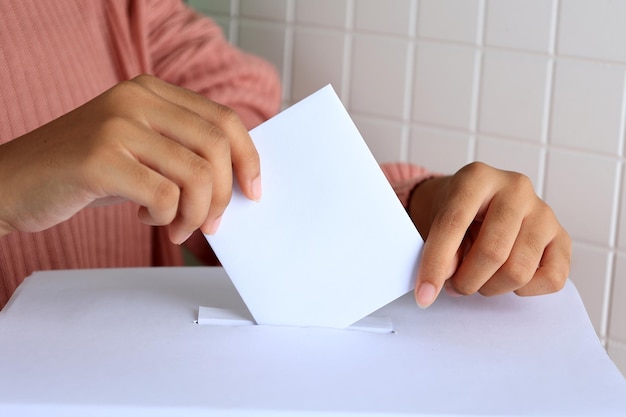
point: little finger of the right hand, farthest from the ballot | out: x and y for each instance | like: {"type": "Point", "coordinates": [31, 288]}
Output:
{"type": "Point", "coordinates": [553, 270]}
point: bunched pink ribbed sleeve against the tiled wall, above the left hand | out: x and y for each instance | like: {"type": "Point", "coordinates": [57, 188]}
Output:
{"type": "Point", "coordinates": [190, 50]}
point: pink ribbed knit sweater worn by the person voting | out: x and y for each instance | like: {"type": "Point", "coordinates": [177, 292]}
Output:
{"type": "Point", "coordinates": [56, 55]}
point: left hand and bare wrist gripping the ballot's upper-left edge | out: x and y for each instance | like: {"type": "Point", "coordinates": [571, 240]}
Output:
{"type": "Point", "coordinates": [166, 148]}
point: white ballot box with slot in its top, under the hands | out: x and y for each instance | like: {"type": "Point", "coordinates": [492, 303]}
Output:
{"type": "Point", "coordinates": [126, 342]}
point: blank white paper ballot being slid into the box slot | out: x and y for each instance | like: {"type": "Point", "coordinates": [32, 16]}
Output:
{"type": "Point", "coordinates": [329, 242]}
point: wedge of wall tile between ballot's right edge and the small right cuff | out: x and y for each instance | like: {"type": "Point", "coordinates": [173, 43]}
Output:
{"type": "Point", "coordinates": [384, 138]}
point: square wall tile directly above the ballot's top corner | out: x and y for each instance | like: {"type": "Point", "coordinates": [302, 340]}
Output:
{"type": "Point", "coordinates": [317, 61]}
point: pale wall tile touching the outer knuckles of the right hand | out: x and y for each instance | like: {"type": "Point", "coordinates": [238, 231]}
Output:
{"type": "Point", "coordinates": [581, 189]}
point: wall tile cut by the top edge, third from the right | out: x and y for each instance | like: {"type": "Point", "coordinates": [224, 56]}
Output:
{"type": "Point", "coordinates": [450, 20]}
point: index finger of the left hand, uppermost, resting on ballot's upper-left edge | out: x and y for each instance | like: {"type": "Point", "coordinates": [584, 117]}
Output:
{"type": "Point", "coordinates": [245, 159]}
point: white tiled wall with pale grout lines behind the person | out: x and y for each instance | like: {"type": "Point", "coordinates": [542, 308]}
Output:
{"type": "Point", "coordinates": [536, 86]}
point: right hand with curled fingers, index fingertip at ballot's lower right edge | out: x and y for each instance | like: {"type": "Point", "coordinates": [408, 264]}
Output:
{"type": "Point", "coordinates": [486, 231]}
